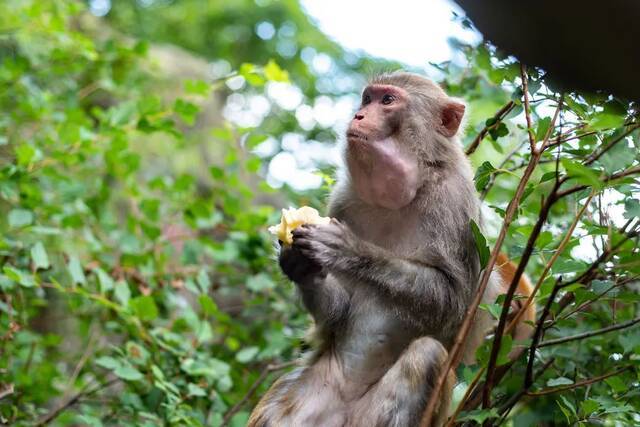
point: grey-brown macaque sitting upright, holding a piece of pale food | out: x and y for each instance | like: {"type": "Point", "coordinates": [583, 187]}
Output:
{"type": "Point", "coordinates": [388, 281]}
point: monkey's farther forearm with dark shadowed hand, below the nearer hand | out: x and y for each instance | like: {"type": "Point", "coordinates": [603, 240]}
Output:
{"type": "Point", "coordinates": [324, 297]}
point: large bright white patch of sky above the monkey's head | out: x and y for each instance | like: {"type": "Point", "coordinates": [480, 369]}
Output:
{"type": "Point", "coordinates": [412, 31]}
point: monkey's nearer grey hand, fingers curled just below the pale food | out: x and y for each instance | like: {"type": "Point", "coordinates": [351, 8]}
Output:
{"type": "Point", "coordinates": [326, 244]}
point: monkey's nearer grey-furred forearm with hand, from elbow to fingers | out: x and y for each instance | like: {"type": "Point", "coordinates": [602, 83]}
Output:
{"type": "Point", "coordinates": [435, 284]}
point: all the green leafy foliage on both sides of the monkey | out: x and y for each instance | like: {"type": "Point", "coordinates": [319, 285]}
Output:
{"type": "Point", "coordinates": [137, 279]}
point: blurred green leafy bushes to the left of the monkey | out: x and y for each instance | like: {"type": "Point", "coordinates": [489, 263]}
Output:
{"type": "Point", "coordinates": [111, 268]}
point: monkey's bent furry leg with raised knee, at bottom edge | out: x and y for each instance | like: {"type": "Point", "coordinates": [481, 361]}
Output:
{"type": "Point", "coordinates": [400, 397]}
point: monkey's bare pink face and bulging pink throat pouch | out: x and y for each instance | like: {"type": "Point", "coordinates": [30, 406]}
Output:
{"type": "Point", "coordinates": [383, 172]}
